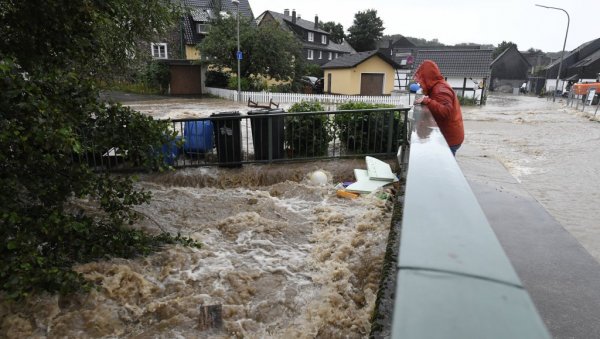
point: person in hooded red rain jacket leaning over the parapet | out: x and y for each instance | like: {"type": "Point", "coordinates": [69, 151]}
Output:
{"type": "Point", "coordinates": [442, 102]}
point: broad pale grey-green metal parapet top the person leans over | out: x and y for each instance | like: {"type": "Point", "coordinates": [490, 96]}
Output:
{"type": "Point", "coordinates": [454, 279]}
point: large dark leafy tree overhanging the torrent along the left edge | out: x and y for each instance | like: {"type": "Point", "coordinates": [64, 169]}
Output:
{"type": "Point", "coordinates": [53, 126]}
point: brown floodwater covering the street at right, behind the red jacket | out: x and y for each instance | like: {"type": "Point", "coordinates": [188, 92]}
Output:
{"type": "Point", "coordinates": [551, 149]}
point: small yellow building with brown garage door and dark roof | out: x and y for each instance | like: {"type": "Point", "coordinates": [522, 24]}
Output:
{"type": "Point", "coordinates": [363, 73]}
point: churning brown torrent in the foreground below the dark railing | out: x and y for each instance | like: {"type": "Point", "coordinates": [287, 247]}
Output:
{"type": "Point", "coordinates": [282, 256]}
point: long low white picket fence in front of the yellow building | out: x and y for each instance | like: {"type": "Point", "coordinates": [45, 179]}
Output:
{"type": "Point", "coordinates": [288, 98]}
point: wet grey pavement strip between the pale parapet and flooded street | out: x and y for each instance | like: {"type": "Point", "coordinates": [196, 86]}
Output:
{"type": "Point", "coordinates": [561, 277]}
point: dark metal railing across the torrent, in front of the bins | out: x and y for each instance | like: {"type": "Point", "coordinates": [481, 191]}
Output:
{"type": "Point", "coordinates": [231, 139]}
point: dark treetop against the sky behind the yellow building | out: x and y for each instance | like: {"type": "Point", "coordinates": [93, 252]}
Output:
{"type": "Point", "coordinates": [366, 30]}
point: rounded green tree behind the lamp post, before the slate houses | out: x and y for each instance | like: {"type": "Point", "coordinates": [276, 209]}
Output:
{"type": "Point", "coordinates": [267, 50]}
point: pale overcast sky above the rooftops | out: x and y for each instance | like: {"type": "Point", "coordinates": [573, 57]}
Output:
{"type": "Point", "coordinates": [456, 21]}
